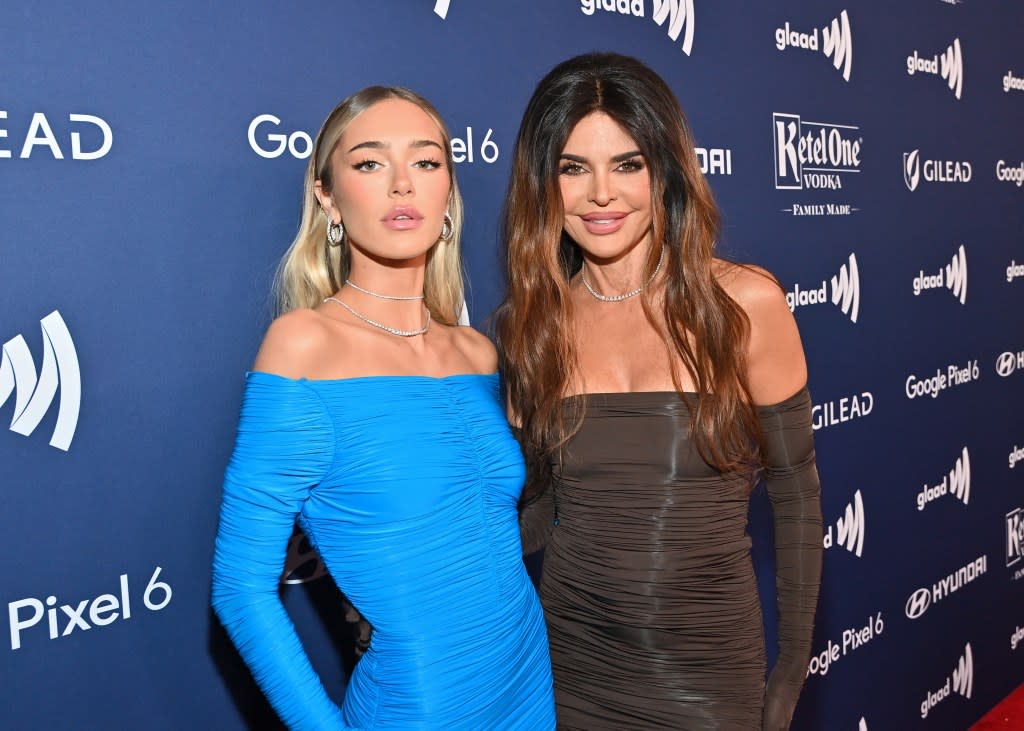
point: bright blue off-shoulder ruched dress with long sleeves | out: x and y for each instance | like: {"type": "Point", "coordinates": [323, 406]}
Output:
{"type": "Point", "coordinates": [408, 488]}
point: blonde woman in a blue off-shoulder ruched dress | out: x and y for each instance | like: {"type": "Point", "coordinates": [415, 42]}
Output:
{"type": "Point", "coordinates": [375, 421]}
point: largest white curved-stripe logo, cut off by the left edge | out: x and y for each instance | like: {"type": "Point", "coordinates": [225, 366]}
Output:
{"type": "Point", "coordinates": [33, 396]}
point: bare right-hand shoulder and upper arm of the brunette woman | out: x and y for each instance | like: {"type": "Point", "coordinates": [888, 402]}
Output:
{"type": "Point", "coordinates": [777, 367]}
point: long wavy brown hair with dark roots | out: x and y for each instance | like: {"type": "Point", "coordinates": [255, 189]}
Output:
{"type": "Point", "coordinates": [706, 328]}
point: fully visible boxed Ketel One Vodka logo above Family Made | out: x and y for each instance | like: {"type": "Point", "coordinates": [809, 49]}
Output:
{"type": "Point", "coordinates": [814, 155]}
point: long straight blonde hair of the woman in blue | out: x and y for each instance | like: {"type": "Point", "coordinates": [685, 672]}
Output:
{"type": "Point", "coordinates": [312, 270]}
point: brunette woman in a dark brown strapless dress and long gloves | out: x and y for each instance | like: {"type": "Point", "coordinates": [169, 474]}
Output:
{"type": "Point", "coordinates": [653, 384]}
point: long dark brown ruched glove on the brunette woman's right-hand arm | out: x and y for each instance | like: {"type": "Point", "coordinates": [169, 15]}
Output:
{"type": "Point", "coordinates": [792, 480]}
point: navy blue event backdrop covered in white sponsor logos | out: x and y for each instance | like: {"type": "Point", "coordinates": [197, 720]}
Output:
{"type": "Point", "coordinates": [871, 155]}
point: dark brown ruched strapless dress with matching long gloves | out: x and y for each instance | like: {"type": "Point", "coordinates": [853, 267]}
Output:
{"type": "Point", "coordinates": [649, 587]}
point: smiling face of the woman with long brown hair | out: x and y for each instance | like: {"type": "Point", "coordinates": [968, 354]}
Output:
{"type": "Point", "coordinates": [606, 189]}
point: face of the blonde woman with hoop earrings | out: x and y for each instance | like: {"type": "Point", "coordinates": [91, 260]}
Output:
{"type": "Point", "coordinates": [391, 182]}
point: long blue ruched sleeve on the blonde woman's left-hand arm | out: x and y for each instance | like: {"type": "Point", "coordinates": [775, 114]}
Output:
{"type": "Point", "coordinates": [284, 448]}
